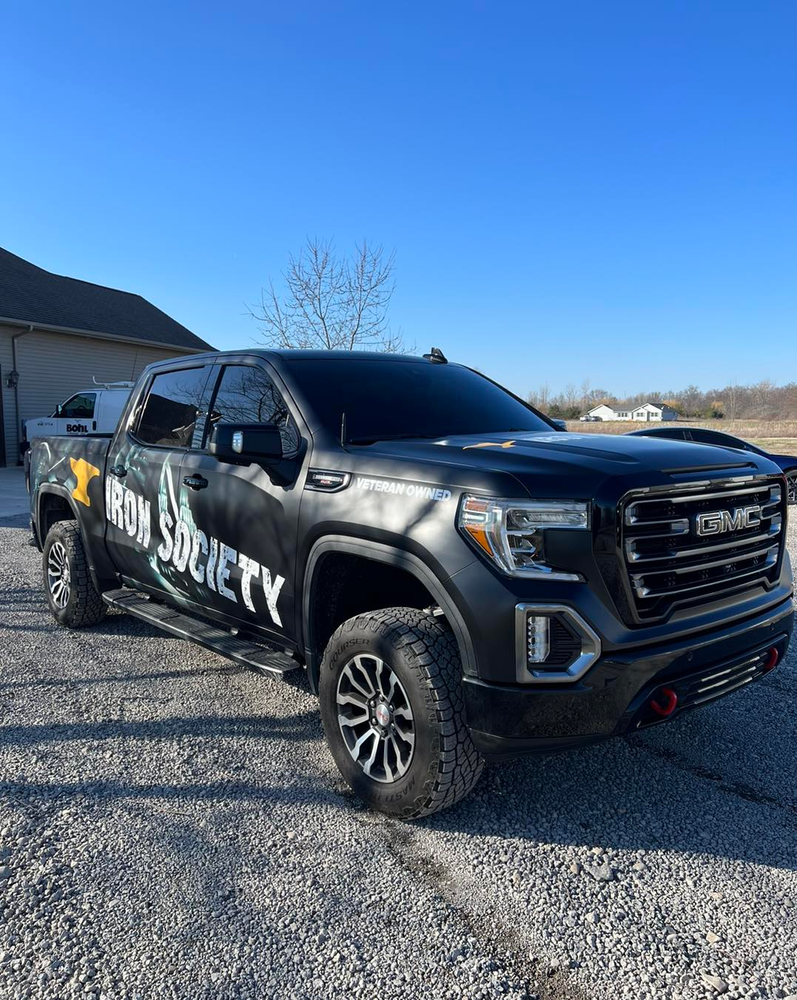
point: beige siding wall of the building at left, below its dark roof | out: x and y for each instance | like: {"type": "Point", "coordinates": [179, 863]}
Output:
{"type": "Point", "coordinates": [53, 366]}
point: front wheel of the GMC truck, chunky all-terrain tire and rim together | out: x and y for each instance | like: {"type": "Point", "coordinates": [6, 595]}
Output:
{"type": "Point", "coordinates": [393, 712]}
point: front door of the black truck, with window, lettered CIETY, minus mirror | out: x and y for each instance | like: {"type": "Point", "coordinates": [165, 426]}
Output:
{"type": "Point", "coordinates": [239, 549]}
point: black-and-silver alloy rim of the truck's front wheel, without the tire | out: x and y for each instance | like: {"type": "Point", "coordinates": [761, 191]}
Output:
{"type": "Point", "coordinates": [375, 718]}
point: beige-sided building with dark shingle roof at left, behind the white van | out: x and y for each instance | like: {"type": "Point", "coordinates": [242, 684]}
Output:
{"type": "Point", "coordinates": [57, 332]}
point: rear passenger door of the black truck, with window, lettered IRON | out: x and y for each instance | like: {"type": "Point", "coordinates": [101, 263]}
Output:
{"type": "Point", "coordinates": [143, 499]}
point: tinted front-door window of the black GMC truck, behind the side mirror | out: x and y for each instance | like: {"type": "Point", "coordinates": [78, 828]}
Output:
{"type": "Point", "coordinates": [248, 395]}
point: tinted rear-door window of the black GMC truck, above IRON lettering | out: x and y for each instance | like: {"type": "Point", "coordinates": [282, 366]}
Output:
{"type": "Point", "coordinates": [171, 408]}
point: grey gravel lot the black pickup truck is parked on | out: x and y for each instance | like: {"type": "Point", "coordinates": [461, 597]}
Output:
{"type": "Point", "coordinates": [172, 826]}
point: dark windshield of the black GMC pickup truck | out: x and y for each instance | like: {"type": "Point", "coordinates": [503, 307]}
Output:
{"type": "Point", "coordinates": [396, 399]}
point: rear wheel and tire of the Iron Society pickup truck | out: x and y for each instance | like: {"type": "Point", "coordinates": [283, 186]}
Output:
{"type": "Point", "coordinates": [73, 599]}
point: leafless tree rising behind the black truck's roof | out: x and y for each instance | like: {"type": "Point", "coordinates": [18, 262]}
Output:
{"type": "Point", "coordinates": [331, 302]}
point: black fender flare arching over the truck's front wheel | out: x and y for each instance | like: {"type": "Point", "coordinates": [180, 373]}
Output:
{"type": "Point", "coordinates": [392, 556]}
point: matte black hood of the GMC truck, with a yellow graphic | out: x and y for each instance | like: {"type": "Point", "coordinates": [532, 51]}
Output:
{"type": "Point", "coordinates": [570, 463]}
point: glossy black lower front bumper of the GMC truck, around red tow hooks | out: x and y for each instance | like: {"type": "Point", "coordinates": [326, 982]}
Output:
{"type": "Point", "coordinates": [614, 696]}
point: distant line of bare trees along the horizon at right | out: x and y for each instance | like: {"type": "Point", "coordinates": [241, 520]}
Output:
{"type": "Point", "coordinates": [762, 401]}
